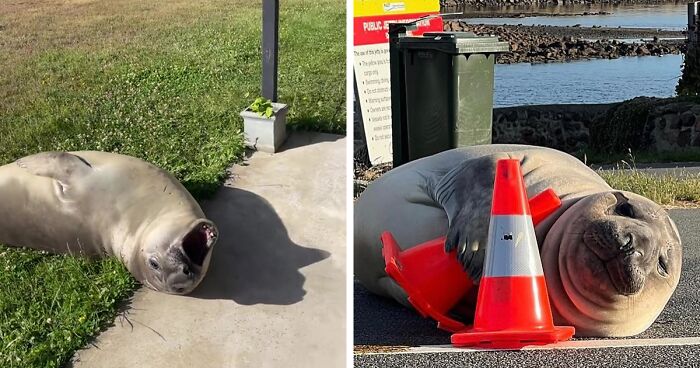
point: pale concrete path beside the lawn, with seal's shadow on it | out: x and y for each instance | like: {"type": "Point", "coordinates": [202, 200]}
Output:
{"type": "Point", "coordinates": [275, 292]}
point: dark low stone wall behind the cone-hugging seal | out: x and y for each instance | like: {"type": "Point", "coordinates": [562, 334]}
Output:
{"type": "Point", "coordinates": [642, 124]}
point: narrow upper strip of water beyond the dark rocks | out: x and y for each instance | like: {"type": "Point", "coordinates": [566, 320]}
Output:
{"type": "Point", "coordinates": [673, 17]}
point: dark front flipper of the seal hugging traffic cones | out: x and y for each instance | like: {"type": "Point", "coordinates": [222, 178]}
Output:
{"type": "Point", "coordinates": [465, 194]}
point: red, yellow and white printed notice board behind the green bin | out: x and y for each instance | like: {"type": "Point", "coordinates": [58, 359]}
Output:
{"type": "Point", "coordinates": [371, 63]}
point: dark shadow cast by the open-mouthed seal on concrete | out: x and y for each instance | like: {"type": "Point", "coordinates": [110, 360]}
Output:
{"type": "Point", "coordinates": [255, 261]}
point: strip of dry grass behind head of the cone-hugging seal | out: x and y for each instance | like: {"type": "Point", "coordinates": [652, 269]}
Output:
{"type": "Point", "coordinates": [671, 190]}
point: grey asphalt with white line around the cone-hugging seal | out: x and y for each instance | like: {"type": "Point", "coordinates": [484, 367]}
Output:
{"type": "Point", "coordinates": [383, 323]}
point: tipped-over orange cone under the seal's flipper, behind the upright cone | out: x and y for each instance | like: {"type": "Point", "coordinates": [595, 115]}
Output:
{"type": "Point", "coordinates": [434, 280]}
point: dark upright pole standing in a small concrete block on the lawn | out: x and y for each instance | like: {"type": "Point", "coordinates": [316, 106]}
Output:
{"type": "Point", "coordinates": [270, 48]}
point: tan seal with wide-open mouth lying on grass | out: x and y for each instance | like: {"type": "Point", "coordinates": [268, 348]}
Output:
{"type": "Point", "coordinates": [105, 204]}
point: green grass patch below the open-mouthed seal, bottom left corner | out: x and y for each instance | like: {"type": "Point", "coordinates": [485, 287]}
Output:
{"type": "Point", "coordinates": [44, 321]}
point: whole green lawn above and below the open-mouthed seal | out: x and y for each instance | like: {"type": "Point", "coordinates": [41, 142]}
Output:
{"type": "Point", "coordinates": [160, 80]}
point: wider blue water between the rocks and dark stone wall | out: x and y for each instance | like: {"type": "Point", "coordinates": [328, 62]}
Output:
{"type": "Point", "coordinates": [587, 82]}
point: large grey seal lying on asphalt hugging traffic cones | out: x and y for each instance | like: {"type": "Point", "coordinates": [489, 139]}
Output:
{"type": "Point", "coordinates": [611, 259]}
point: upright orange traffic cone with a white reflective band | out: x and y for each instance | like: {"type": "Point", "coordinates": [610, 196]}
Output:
{"type": "Point", "coordinates": [512, 307]}
